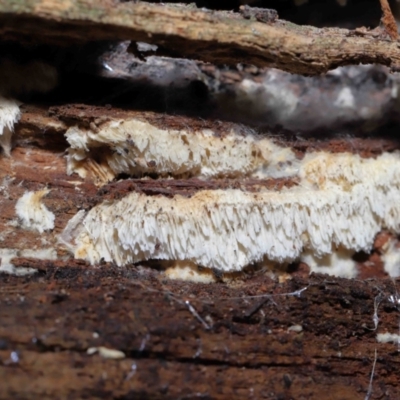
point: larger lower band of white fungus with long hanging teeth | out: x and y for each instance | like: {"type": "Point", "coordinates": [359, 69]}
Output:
{"type": "Point", "coordinates": [341, 202]}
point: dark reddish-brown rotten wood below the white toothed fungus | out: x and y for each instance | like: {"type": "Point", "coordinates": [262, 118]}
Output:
{"type": "Point", "coordinates": [311, 337]}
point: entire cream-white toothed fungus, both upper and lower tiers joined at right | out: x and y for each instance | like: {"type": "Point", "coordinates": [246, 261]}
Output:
{"type": "Point", "coordinates": [334, 205]}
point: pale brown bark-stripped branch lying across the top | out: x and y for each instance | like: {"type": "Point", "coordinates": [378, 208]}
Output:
{"type": "Point", "coordinates": [218, 37]}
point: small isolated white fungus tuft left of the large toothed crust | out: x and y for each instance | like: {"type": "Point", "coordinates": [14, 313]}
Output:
{"type": "Point", "coordinates": [33, 214]}
